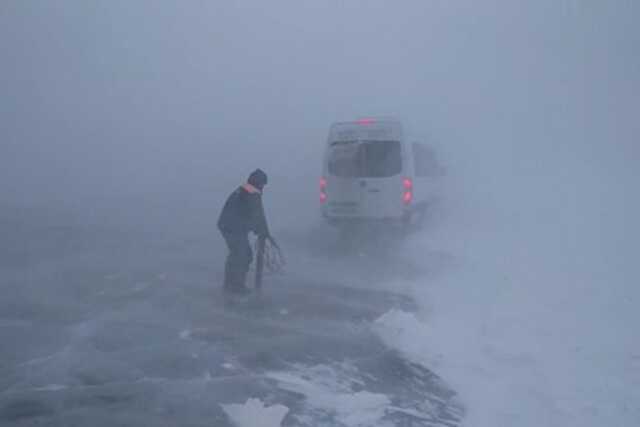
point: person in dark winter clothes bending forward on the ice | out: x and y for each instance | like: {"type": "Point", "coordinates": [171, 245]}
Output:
{"type": "Point", "coordinates": [243, 212]}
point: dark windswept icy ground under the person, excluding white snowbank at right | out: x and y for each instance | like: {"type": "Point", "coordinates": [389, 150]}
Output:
{"type": "Point", "coordinates": [104, 326]}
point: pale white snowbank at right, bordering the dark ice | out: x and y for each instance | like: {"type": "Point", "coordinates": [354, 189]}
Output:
{"type": "Point", "coordinates": [535, 322]}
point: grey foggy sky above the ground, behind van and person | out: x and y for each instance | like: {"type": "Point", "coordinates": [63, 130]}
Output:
{"type": "Point", "coordinates": [180, 100]}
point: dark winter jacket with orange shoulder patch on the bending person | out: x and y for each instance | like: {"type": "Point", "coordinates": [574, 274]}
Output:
{"type": "Point", "coordinates": [243, 212]}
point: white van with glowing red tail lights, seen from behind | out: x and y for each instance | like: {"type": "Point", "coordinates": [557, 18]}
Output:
{"type": "Point", "coordinates": [372, 173]}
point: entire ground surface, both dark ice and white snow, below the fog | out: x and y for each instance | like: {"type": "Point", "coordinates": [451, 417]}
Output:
{"type": "Point", "coordinates": [500, 314]}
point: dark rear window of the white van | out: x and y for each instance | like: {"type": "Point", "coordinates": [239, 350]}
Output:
{"type": "Point", "coordinates": [365, 159]}
